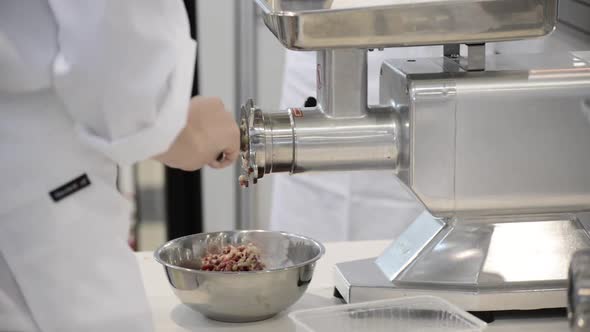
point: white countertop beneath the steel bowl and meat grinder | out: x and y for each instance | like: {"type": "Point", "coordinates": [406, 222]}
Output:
{"type": "Point", "coordinates": [170, 315]}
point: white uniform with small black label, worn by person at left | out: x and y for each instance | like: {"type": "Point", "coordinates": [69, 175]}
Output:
{"type": "Point", "coordinates": [84, 85]}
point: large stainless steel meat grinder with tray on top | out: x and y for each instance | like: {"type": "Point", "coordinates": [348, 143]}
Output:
{"type": "Point", "coordinates": [496, 147]}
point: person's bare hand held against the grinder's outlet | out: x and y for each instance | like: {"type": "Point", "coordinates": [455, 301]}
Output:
{"type": "Point", "coordinates": [210, 132]}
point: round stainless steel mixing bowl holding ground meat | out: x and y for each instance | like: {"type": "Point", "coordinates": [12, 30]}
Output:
{"type": "Point", "coordinates": [240, 296]}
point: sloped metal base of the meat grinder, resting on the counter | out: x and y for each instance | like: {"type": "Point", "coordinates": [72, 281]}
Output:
{"type": "Point", "coordinates": [479, 267]}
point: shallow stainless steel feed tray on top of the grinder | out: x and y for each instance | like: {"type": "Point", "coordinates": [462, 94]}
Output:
{"type": "Point", "coordinates": [321, 24]}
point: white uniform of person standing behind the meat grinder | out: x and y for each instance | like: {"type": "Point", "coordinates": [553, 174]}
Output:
{"type": "Point", "coordinates": [348, 206]}
